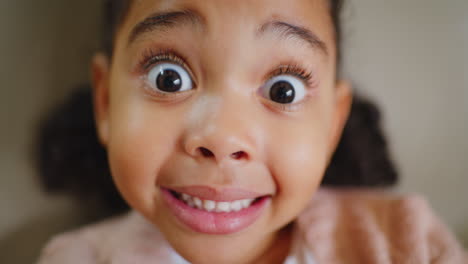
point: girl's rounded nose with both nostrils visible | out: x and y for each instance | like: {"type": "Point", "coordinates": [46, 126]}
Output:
{"type": "Point", "coordinates": [222, 135]}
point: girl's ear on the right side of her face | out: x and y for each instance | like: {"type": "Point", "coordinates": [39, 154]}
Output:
{"type": "Point", "coordinates": [343, 102]}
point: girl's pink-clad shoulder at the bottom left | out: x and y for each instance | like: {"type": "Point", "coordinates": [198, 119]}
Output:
{"type": "Point", "coordinates": [125, 239]}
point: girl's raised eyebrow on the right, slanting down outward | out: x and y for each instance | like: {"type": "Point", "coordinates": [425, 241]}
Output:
{"type": "Point", "coordinates": [288, 30]}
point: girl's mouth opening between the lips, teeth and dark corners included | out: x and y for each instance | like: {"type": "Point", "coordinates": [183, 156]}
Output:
{"type": "Point", "coordinates": [215, 206]}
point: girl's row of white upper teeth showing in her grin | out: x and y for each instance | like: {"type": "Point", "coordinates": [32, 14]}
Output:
{"type": "Point", "coordinates": [210, 206]}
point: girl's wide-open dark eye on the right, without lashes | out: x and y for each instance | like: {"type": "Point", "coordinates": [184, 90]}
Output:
{"type": "Point", "coordinates": [284, 89]}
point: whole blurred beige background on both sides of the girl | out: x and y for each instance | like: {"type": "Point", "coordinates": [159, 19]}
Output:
{"type": "Point", "coordinates": [409, 56]}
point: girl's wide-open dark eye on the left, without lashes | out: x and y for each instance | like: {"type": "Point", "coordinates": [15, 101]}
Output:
{"type": "Point", "coordinates": [169, 78]}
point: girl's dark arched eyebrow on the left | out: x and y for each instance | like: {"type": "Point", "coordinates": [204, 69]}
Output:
{"type": "Point", "coordinates": [164, 21]}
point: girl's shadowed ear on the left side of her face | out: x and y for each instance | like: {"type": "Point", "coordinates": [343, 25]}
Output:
{"type": "Point", "coordinates": [100, 82]}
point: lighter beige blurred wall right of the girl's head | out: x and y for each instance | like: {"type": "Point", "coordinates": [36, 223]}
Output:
{"type": "Point", "coordinates": [412, 57]}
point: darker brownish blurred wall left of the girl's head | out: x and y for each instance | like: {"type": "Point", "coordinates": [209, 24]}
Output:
{"type": "Point", "coordinates": [44, 50]}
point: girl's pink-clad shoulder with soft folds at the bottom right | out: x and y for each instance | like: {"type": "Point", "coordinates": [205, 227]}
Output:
{"type": "Point", "coordinates": [376, 226]}
